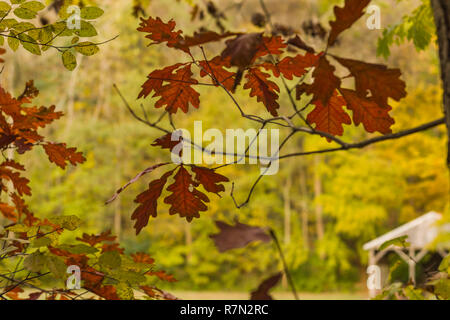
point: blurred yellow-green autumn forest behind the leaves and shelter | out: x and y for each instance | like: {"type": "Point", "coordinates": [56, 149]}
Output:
{"type": "Point", "coordinates": [322, 207]}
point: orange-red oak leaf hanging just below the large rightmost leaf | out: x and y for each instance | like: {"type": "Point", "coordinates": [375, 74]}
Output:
{"type": "Point", "coordinates": [368, 112]}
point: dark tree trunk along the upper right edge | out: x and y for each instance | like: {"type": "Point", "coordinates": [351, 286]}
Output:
{"type": "Point", "coordinates": [441, 10]}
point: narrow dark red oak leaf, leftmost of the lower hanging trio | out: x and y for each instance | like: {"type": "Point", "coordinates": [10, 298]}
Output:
{"type": "Point", "coordinates": [148, 201]}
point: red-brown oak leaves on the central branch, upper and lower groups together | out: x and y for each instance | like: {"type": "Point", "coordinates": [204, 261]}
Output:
{"type": "Point", "coordinates": [257, 58]}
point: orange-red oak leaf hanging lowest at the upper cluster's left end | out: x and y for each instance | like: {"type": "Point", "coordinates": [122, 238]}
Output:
{"type": "Point", "coordinates": [178, 93]}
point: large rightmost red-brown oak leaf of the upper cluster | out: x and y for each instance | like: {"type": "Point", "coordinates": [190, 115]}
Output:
{"type": "Point", "coordinates": [383, 83]}
